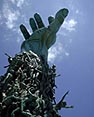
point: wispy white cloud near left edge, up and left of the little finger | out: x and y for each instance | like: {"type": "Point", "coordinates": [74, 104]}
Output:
{"type": "Point", "coordinates": [10, 15]}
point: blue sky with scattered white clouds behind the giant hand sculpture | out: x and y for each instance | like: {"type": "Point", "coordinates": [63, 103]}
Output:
{"type": "Point", "coordinates": [73, 52]}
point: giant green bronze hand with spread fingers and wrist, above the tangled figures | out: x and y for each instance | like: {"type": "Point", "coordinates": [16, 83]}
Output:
{"type": "Point", "coordinates": [42, 37]}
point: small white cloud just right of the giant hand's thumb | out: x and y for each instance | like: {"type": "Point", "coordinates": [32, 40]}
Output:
{"type": "Point", "coordinates": [69, 25]}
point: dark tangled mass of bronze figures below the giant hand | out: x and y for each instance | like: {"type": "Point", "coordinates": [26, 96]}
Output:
{"type": "Point", "coordinates": [28, 88]}
